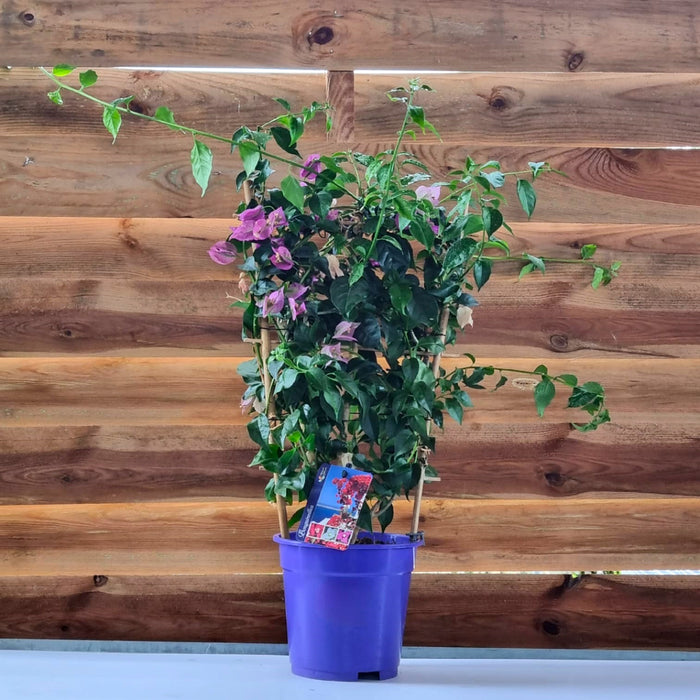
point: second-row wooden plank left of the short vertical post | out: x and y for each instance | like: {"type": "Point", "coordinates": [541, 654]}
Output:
{"type": "Point", "coordinates": [214, 102]}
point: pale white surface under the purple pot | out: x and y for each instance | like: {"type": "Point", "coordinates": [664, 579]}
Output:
{"type": "Point", "coordinates": [67, 675]}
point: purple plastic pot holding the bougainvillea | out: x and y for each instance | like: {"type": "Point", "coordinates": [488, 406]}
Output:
{"type": "Point", "coordinates": [346, 610]}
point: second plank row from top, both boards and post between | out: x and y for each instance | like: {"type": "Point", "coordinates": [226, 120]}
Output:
{"type": "Point", "coordinates": [540, 109]}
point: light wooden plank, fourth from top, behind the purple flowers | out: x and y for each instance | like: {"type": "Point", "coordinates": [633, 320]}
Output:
{"type": "Point", "coordinates": [174, 249]}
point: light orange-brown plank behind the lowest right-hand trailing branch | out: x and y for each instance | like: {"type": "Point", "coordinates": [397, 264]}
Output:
{"type": "Point", "coordinates": [205, 391]}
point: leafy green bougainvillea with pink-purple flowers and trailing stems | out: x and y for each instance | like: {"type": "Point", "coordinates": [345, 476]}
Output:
{"type": "Point", "coordinates": [361, 270]}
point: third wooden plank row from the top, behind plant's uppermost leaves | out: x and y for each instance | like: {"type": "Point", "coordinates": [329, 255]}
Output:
{"type": "Point", "coordinates": [92, 177]}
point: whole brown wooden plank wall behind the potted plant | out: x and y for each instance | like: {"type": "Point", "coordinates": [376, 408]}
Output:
{"type": "Point", "coordinates": [126, 507]}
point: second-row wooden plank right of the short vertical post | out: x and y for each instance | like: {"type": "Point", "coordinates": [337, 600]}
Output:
{"type": "Point", "coordinates": [587, 109]}
